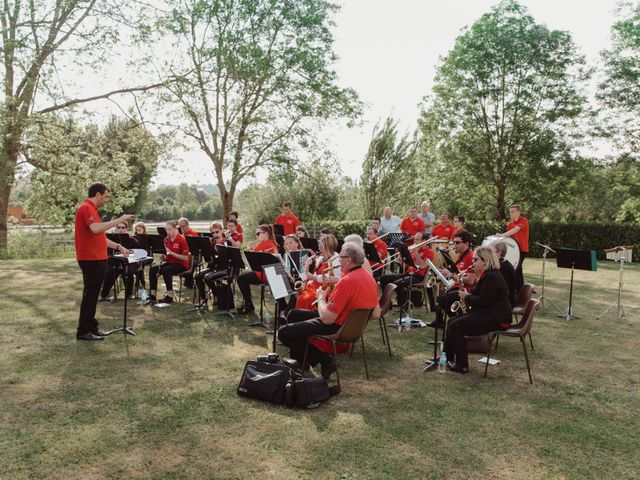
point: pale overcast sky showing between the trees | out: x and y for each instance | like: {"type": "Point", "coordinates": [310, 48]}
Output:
{"type": "Point", "coordinates": [388, 52]}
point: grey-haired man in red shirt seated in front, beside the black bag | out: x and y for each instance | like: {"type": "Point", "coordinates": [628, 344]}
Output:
{"type": "Point", "coordinates": [355, 289]}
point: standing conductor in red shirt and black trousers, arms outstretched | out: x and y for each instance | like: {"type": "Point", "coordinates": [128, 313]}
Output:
{"type": "Point", "coordinates": [91, 253]}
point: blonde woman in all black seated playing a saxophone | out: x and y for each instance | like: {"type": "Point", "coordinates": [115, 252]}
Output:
{"type": "Point", "coordinates": [488, 309]}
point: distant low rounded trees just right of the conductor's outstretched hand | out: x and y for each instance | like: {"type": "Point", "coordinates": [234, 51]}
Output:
{"type": "Point", "coordinates": [171, 202]}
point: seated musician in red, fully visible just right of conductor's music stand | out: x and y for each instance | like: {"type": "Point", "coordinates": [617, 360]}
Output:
{"type": "Point", "coordinates": [176, 260]}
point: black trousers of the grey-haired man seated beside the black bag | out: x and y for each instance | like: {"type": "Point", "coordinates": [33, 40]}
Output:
{"type": "Point", "coordinates": [303, 324]}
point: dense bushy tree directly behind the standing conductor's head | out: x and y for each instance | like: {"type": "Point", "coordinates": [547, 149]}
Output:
{"type": "Point", "coordinates": [70, 157]}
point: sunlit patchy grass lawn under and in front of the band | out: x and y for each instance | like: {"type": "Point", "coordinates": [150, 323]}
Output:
{"type": "Point", "coordinates": [163, 405]}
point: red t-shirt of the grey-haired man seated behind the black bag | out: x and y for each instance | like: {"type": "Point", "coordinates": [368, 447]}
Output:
{"type": "Point", "coordinates": [356, 289]}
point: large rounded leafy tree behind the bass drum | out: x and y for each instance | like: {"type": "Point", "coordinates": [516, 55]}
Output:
{"type": "Point", "coordinates": [505, 101]}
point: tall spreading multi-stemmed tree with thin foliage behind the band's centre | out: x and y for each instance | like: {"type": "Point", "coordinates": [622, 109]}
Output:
{"type": "Point", "coordinates": [261, 76]}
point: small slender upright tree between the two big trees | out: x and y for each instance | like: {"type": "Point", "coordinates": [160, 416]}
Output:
{"type": "Point", "coordinates": [388, 169]}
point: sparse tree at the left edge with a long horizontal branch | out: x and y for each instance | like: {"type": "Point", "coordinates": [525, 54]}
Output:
{"type": "Point", "coordinates": [36, 37]}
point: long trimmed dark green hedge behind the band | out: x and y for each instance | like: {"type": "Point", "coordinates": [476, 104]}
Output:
{"type": "Point", "coordinates": [581, 235]}
